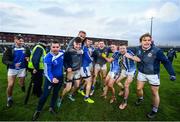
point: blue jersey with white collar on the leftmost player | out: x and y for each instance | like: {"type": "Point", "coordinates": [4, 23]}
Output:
{"type": "Point", "coordinates": [18, 57]}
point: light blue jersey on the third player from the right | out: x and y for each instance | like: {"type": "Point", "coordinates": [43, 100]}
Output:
{"type": "Point", "coordinates": [114, 66]}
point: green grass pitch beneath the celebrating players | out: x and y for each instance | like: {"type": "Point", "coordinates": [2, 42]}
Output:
{"type": "Point", "coordinates": [101, 110]}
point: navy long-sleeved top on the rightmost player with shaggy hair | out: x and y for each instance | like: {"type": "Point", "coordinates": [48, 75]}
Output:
{"type": "Point", "coordinates": [151, 59]}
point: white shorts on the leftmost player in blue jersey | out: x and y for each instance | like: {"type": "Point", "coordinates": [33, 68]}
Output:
{"type": "Point", "coordinates": [18, 73]}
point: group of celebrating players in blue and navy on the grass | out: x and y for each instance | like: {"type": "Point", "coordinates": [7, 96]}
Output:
{"type": "Point", "coordinates": [83, 62]}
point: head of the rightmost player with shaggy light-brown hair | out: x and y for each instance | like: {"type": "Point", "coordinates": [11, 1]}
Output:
{"type": "Point", "coordinates": [146, 41]}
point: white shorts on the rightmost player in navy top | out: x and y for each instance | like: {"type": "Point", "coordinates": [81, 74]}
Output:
{"type": "Point", "coordinates": [152, 79]}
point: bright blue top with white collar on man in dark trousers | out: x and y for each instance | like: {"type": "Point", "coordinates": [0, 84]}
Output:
{"type": "Point", "coordinates": [53, 65]}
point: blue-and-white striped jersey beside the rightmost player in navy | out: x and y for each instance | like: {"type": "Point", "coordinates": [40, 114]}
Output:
{"type": "Point", "coordinates": [128, 64]}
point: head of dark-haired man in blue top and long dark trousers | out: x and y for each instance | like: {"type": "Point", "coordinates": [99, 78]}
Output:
{"type": "Point", "coordinates": [55, 47]}
